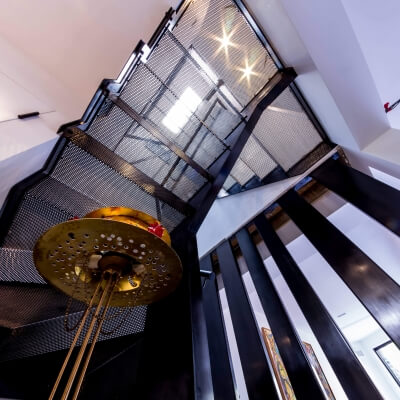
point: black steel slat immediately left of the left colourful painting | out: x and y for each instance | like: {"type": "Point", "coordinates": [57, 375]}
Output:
{"type": "Point", "coordinates": [257, 375]}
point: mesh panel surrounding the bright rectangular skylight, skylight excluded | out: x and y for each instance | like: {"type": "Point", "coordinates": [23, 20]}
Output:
{"type": "Point", "coordinates": [156, 87]}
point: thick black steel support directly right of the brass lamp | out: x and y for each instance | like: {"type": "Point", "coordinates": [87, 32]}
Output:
{"type": "Point", "coordinates": [175, 362]}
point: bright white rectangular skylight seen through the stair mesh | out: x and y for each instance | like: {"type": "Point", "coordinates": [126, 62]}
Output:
{"type": "Point", "coordinates": [180, 112]}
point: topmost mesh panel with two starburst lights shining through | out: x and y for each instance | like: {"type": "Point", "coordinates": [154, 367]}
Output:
{"type": "Point", "coordinates": [203, 27]}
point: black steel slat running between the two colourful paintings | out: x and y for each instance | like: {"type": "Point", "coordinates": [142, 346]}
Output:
{"type": "Point", "coordinates": [289, 344]}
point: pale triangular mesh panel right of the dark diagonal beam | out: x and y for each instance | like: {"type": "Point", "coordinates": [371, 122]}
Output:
{"type": "Point", "coordinates": [284, 136]}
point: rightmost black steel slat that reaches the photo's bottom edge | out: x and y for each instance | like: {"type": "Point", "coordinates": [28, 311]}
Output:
{"type": "Point", "coordinates": [344, 362]}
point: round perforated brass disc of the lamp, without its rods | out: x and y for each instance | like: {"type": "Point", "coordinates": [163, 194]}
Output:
{"type": "Point", "coordinates": [66, 256]}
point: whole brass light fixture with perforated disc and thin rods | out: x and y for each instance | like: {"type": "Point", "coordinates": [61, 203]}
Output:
{"type": "Point", "coordinates": [112, 257]}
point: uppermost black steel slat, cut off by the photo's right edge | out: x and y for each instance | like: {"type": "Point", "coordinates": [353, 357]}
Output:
{"type": "Point", "coordinates": [380, 201]}
